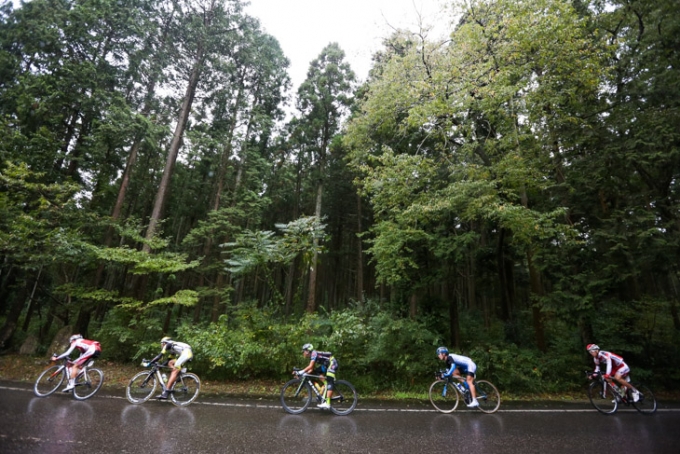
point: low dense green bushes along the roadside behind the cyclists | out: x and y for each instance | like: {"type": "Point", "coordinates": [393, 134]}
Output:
{"type": "Point", "coordinates": [377, 350]}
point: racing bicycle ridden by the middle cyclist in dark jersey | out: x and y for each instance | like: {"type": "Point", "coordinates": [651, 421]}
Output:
{"type": "Point", "coordinates": [297, 394]}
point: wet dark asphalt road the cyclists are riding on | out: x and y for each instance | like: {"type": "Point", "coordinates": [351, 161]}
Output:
{"type": "Point", "coordinates": [107, 423]}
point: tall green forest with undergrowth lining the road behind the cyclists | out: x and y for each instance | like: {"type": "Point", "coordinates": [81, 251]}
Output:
{"type": "Point", "coordinates": [509, 190]}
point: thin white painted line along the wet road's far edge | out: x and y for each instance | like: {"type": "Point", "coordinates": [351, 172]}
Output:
{"type": "Point", "coordinates": [400, 410]}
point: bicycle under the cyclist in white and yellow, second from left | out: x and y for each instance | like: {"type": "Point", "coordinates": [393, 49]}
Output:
{"type": "Point", "coordinates": [142, 386]}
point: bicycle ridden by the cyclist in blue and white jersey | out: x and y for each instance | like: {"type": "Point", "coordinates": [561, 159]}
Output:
{"type": "Point", "coordinates": [445, 394]}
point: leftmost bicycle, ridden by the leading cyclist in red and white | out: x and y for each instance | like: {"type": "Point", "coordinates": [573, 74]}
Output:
{"type": "Point", "coordinates": [88, 380]}
